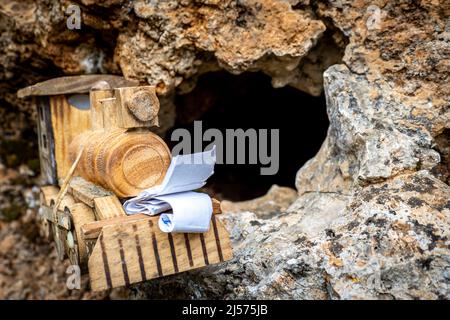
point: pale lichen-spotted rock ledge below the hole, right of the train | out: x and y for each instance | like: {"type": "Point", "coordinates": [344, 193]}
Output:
{"type": "Point", "coordinates": [385, 241]}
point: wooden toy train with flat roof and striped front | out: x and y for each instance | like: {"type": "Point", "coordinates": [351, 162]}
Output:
{"type": "Point", "coordinates": [96, 149]}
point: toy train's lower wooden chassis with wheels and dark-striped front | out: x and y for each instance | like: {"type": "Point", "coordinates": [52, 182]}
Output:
{"type": "Point", "coordinates": [120, 250]}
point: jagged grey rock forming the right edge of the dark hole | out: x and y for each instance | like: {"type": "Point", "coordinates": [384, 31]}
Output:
{"type": "Point", "coordinates": [373, 133]}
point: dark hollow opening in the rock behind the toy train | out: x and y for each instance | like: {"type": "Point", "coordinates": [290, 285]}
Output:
{"type": "Point", "coordinates": [225, 101]}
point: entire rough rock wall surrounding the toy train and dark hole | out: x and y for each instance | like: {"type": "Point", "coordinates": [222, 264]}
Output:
{"type": "Point", "coordinates": [371, 219]}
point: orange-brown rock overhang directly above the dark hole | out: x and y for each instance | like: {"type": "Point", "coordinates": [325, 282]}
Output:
{"type": "Point", "coordinates": [173, 38]}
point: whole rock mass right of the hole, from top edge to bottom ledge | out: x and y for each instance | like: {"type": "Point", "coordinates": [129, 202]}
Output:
{"type": "Point", "coordinates": [373, 212]}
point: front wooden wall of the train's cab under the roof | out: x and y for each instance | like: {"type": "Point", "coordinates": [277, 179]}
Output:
{"type": "Point", "coordinates": [67, 123]}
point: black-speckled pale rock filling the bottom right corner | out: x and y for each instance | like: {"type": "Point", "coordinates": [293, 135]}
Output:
{"type": "Point", "coordinates": [396, 244]}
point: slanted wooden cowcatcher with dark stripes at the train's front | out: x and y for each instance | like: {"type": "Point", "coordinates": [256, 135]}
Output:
{"type": "Point", "coordinates": [137, 251]}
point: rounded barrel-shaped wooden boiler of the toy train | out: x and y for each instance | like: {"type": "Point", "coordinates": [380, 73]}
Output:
{"type": "Point", "coordinates": [125, 162]}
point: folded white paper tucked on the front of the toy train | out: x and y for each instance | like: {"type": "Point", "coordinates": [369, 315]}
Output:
{"type": "Point", "coordinates": [191, 211]}
